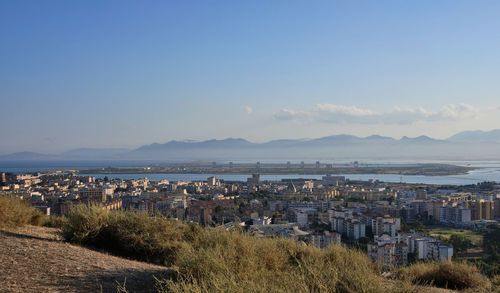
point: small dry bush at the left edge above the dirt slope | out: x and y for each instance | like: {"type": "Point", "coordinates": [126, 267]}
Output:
{"type": "Point", "coordinates": [15, 212]}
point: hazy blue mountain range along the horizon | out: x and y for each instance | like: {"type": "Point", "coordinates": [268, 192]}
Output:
{"type": "Point", "coordinates": [467, 145]}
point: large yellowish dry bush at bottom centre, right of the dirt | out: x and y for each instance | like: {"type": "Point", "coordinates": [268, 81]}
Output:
{"type": "Point", "coordinates": [236, 262]}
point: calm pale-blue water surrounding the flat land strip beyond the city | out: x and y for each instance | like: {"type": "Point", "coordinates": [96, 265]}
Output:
{"type": "Point", "coordinates": [489, 171]}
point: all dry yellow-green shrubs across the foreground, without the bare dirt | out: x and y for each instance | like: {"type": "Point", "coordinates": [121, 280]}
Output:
{"type": "Point", "coordinates": [213, 259]}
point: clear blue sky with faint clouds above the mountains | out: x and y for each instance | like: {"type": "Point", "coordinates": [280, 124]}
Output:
{"type": "Point", "coordinates": [109, 74]}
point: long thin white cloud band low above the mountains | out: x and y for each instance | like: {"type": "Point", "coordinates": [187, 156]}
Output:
{"type": "Point", "coordinates": [337, 114]}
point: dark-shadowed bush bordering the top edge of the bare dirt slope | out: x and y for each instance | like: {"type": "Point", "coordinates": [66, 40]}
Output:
{"type": "Point", "coordinates": [129, 234]}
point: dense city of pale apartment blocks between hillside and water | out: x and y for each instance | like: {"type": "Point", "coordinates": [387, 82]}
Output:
{"type": "Point", "coordinates": [395, 223]}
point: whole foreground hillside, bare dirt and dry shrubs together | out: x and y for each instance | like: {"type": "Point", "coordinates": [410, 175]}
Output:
{"type": "Point", "coordinates": [195, 258]}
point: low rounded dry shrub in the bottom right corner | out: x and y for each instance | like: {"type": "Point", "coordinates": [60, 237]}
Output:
{"type": "Point", "coordinates": [450, 275]}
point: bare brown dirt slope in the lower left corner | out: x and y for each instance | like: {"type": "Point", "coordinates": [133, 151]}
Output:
{"type": "Point", "coordinates": [34, 259]}
